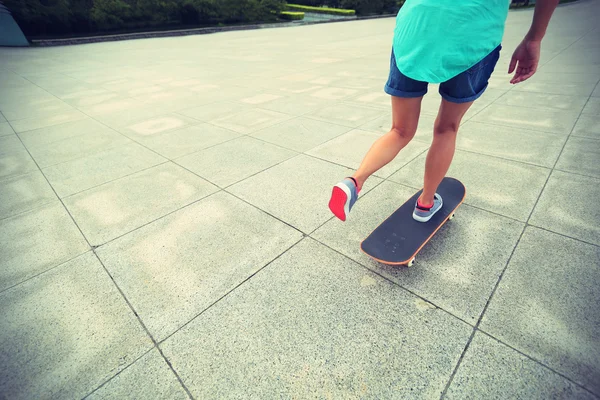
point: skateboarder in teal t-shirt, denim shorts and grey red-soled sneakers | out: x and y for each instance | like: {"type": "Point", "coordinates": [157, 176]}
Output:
{"type": "Point", "coordinates": [455, 43]}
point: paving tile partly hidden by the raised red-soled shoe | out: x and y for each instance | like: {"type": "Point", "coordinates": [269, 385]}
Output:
{"type": "Point", "coordinates": [302, 186]}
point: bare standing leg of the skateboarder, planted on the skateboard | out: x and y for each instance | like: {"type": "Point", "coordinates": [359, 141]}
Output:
{"type": "Point", "coordinates": [441, 151]}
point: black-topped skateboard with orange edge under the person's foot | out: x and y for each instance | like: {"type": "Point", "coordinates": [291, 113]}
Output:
{"type": "Point", "coordinates": [399, 238]}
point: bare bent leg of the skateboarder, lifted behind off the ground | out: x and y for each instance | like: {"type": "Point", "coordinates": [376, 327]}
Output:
{"type": "Point", "coordinates": [405, 118]}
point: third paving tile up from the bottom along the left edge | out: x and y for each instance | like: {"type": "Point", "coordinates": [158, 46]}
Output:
{"type": "Point", "coordinates": [23, 193]}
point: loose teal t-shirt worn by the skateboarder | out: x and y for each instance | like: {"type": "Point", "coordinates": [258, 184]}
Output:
{"type": "Point", "coordinates": [435, 40]}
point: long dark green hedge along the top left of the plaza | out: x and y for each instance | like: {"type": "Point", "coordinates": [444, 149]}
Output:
{"type": "Point", "coordinates": [56, 18]}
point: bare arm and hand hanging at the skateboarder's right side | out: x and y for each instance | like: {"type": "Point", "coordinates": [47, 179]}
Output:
{"type": "Point", "coordinates": [526, 57]}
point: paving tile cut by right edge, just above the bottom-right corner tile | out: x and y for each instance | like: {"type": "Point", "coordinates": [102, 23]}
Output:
{"type": "Point", "coordinates": [545, 305]}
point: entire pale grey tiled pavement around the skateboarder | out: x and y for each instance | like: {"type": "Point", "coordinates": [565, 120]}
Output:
{"type": "Point", "coordinates": [164, 230]}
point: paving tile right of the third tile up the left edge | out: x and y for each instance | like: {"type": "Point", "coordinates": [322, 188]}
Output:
{"type": "Point", "coordinates": [84, 173]}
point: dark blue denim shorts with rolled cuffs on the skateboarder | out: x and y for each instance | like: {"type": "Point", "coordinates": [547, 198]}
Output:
{"type": "Point", "coordinates": [464, 87]}
